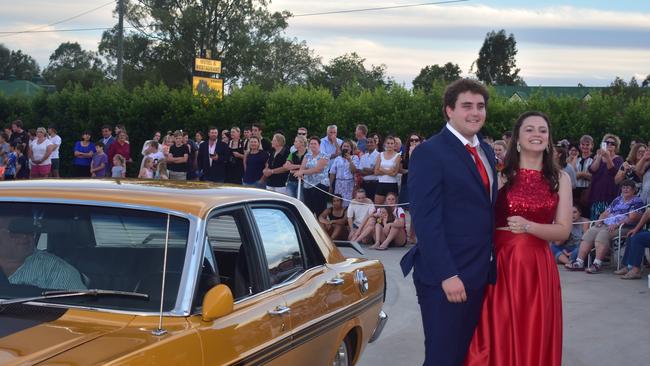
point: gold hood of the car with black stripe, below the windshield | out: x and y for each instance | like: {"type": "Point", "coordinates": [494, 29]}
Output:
{"type": "Point", "coordinates": [32, 334]}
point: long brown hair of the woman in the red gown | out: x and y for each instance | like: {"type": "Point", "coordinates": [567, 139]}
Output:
{"type": "Point", "coordinates": [550, 169]}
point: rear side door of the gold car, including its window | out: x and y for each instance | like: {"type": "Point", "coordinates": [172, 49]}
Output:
{"type": "Point", "coordinates": [312, 290]}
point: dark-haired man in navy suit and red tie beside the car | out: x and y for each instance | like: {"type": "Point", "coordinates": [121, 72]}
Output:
{"type": "Point", "coordinates": [452, 189]}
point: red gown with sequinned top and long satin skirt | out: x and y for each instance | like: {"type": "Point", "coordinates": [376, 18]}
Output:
{"type": "Point", "coordinates": [521, 318]}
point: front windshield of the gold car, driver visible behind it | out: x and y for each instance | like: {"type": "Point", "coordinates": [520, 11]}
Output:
{"type": "Point", "coordinates": [45, 247]}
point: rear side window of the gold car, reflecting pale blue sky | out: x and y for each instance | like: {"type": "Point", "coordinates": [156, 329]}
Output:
{"type": "Point", "coordinates": [281, 244]}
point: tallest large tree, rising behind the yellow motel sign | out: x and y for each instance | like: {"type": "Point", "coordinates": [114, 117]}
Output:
{"type": "Point", "coordinates": [233, 30]}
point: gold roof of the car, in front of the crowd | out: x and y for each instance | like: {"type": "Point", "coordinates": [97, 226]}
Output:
{"type": "Point", "coordinates": [194, 198]}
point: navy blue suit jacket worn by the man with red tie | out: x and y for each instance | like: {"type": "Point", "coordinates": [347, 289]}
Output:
{"type": "Point", "coordinates": [452, 213]}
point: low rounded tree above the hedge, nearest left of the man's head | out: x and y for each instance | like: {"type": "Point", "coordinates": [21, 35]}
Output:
{"type": "Point", "coordinates": [349, 70]}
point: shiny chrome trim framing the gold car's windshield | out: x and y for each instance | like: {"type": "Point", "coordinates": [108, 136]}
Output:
{"type": "Point", "coordinates": [184, 296]}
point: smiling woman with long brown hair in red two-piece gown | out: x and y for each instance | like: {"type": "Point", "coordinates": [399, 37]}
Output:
{"type": "Point", "coordinates": [521, 318]}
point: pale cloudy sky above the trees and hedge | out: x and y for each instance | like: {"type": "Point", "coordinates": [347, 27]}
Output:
{"type": "Point", "coordinates": [560, 43]}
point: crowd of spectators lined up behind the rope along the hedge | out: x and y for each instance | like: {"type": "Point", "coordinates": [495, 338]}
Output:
{"type": "Point", "coordinates": [355, 187]}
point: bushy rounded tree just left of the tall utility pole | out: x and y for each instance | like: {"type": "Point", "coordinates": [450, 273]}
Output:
{"type": "Point", "coordinates": [69, 63]}
